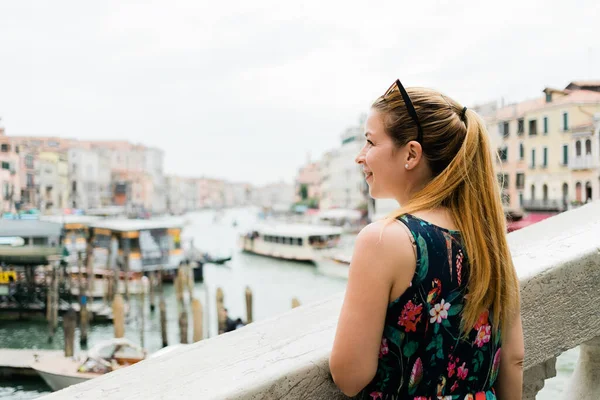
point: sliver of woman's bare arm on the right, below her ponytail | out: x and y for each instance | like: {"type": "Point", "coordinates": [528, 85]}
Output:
{"type": "Point", "coordinates": [510, 376]}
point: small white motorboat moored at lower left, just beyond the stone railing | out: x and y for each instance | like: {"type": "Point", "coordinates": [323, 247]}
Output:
{"type": "Point", "coordinates": [60, 372]}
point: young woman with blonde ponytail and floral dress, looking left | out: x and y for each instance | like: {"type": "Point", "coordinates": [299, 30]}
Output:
{"type": "Point", "coordinates": [432, 305]}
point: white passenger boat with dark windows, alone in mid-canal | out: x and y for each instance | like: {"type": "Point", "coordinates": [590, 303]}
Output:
{"type": "Point", "coordinates": [291, 241]}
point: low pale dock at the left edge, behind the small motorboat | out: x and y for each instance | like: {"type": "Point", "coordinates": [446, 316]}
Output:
{"type": "Point", "coordinates": [16, 363]}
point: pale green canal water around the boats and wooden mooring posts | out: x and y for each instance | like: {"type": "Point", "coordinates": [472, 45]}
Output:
{"type": "Point", "coordinates": [274, 284]}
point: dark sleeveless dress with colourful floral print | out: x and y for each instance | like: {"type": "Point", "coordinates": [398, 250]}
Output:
{"type": "Point", "coordinates": [422, 355]}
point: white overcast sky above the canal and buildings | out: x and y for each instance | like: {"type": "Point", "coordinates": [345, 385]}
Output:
{"type": "Point", "coordinates": [244, 90]}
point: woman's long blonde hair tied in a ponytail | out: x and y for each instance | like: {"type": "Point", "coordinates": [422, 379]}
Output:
{"type": "Point", "coordinates": [457, 150]}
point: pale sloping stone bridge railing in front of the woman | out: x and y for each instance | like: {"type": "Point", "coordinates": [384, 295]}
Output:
{"type": "Point", "coordinates": [286, 357]}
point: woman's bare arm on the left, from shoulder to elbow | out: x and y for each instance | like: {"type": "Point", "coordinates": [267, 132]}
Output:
{"type": "Point", "coordinates": [375, 265]}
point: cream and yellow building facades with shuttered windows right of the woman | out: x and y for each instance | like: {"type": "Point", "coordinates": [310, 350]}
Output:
{"type": "Point", "coordinates": [546, 152]}
